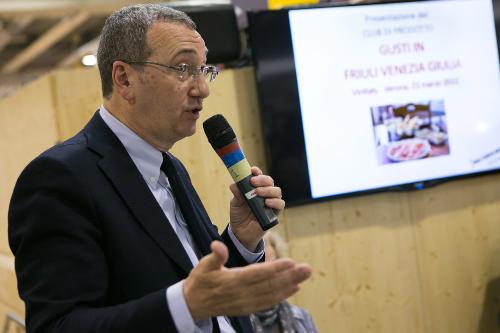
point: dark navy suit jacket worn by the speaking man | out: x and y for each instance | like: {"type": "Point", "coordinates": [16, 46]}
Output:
{"type": "Point", "coordinates": [94, 251]}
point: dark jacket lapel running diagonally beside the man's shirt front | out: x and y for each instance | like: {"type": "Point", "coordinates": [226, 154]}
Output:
{"type": "Point", "coordinates": [128, 182]}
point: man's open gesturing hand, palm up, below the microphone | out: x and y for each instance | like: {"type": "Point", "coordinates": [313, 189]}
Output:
{"type": "Point", "coordinates": [214, 290]}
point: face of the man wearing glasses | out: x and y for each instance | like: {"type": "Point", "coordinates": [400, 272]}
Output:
{"type": "Point", "coordinates": [166, 106]}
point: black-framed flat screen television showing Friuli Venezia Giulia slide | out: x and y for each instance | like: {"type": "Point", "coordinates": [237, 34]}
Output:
{"type": "Point", "coordinates": [366, 98]}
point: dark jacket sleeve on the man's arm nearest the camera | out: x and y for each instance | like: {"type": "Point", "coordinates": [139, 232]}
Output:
{"type": "Point", "coordinates": [55, 235]}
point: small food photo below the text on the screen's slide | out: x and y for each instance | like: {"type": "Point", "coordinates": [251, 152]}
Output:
{"type": "Point", "coordinates": [408, 132]}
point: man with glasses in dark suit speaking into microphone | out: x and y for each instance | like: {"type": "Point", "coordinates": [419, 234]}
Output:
{"type": "Point", "coordinates": [109, 234]}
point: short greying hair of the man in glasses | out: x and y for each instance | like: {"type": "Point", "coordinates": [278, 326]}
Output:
{"type": "Point", "coordinates": [123, 36]}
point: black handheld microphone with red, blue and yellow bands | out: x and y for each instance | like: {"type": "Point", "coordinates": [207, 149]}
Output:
{"type": "Point", "coordinates": [222, 138]}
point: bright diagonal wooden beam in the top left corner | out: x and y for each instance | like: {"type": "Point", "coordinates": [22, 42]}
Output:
{"type": "Point", "coordinates": [45, 41]}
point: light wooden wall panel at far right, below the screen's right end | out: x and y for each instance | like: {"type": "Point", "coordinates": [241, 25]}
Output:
{"type": "Point", "coordinates": [458, 246]}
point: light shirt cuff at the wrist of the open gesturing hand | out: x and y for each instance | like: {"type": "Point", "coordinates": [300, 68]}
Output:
{"type": "Point", "coordinates": [180, 312]}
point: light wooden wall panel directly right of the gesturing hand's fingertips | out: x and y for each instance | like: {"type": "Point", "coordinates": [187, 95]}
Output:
{"type": "Point", "coordinates": [363, 254]}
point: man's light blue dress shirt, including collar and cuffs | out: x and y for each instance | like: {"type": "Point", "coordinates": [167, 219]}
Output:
{"type": "Point", "coordinates": [148, 160]}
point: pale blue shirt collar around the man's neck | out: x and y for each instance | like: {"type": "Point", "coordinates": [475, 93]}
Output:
{"type": "Point", "coordinates": [146, 158]}
